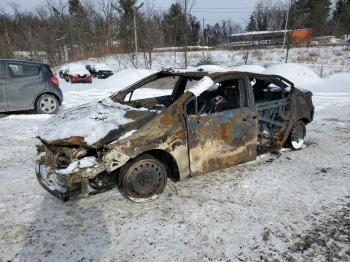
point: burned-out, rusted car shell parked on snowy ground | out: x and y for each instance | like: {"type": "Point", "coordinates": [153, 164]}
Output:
{"type": "Point", "coordinates": [193, 123]}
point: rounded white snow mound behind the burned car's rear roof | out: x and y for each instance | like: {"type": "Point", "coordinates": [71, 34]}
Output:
{"type": "Point", "coordinates": [298, 74]}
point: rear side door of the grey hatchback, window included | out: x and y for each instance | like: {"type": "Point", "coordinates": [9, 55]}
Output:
{"type": "Point", "coordinates": [22, 85]}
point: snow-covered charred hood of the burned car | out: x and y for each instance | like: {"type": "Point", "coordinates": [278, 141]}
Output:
{"type": "Point", "coordinates": [94, 124]}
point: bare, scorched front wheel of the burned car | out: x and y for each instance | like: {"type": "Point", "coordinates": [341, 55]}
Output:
{"type": "Point", "coordinates": [143, 178]}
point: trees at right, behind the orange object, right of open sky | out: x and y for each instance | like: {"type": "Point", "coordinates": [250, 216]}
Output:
{"type": "Point", "coordinates": [316, 14]}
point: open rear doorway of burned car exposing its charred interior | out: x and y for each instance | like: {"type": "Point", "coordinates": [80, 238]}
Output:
{"type": "Point", "coordinates": [272, 99]}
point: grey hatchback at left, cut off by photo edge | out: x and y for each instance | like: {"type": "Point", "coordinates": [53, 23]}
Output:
{"type": "Point", "coordinates": [28, 85]}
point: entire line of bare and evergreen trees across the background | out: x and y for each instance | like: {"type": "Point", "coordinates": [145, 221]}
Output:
{"type": "Point", "coordinates": [76, 29]}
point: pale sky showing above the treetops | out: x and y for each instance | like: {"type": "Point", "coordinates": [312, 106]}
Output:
{"type": "Point", "coordinates": [213, 11]}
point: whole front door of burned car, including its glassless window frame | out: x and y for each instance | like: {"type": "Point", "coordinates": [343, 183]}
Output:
{"type": "Point", "coordinates": [222, 138]}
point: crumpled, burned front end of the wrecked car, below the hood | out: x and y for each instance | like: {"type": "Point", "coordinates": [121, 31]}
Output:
{"type": "Point", "coordinates": [67, 171]}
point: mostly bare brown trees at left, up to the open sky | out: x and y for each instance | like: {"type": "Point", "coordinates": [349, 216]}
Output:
{"type": "Point", "coordinates": [78, 29]}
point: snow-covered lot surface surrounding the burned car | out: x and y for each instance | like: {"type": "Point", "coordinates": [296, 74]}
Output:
{"type": "Point", "coordinates": [291, 206]}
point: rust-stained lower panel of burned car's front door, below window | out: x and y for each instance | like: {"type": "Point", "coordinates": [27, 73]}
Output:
{"type": "Point", "coordinates": [221, 140]}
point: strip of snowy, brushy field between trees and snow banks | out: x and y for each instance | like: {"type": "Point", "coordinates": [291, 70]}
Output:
{"type": "Point", "coordinates": [323, 60]}
